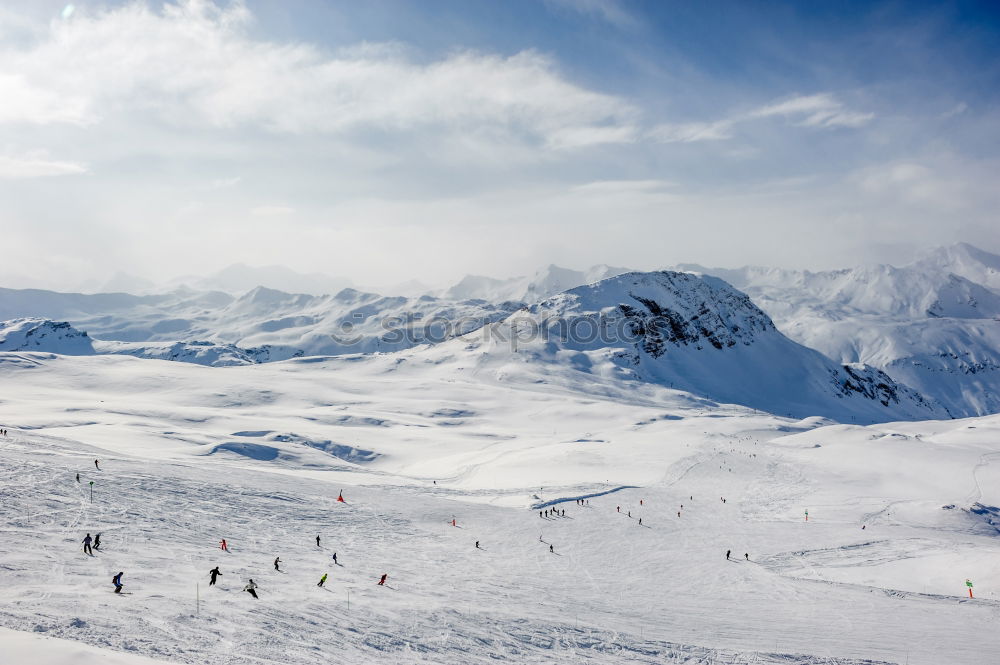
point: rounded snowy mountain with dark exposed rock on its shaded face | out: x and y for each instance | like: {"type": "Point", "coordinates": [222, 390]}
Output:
{"type": "Point", "coordinates": [700, 335]}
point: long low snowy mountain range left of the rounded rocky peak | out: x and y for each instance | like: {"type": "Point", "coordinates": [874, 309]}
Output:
{"type": "Point", "coordinates": [287, 324]}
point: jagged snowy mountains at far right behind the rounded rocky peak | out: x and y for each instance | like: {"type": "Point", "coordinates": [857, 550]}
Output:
{"type": "Point", "coordinates": [927, 324]}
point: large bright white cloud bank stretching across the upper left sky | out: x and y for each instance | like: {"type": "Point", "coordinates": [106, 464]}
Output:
{"type": "Point", "coordinates": [194, 64]}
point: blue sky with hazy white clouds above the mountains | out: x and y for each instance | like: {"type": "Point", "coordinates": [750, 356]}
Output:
{"type": "Point", "coordinates": [386, 140]}
